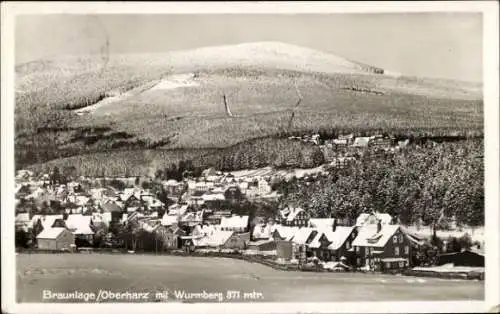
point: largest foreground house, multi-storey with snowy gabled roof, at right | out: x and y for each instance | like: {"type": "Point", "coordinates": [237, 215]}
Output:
{"type": "Point", "coordinates": [382, 247]}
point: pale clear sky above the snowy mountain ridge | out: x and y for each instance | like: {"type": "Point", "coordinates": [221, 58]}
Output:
{"type": "Point", "coordinates": [443, 45]}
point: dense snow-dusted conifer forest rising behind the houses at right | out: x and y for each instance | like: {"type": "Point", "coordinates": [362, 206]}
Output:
{"type": "Point", "coordinates": [418, 186]}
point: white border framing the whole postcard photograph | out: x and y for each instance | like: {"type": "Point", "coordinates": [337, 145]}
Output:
{"type": "Point", "coordinates": [489, 9]}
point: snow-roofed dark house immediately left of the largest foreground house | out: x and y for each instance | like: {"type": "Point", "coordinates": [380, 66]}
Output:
{"type": "Point", "coordinates": [333, 244]}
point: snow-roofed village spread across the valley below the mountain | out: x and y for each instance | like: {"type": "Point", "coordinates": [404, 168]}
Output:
{"type": "Point", "coordinates": [206, 214]}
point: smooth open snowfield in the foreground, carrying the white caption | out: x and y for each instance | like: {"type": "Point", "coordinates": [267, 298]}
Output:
{"type": "Point", "coordinates": [215, 277]}
